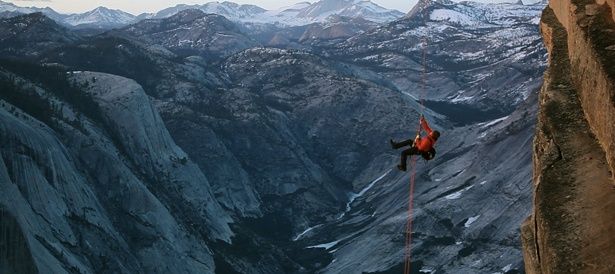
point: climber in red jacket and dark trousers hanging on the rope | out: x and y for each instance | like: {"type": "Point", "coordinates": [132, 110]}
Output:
{"type": "Point", "coordinates": [423, 146]}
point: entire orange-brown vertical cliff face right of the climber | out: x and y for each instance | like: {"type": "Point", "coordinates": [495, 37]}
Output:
{"type": "Point", "coordinates": [571, 229]}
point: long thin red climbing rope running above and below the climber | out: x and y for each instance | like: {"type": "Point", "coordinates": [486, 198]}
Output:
{"type": "Point", "coordinates": [408, 243]}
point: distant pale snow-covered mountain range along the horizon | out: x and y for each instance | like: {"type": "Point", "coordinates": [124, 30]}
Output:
{"type": "Point", "coordinates": [299, 14]}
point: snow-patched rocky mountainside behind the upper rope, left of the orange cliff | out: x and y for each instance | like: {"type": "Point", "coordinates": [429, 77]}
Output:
{"type": "Point", "coordinates": [462, 77]}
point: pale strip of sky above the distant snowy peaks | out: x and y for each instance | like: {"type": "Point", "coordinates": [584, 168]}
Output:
{"type": "Point", "coordinates": [139, 6]}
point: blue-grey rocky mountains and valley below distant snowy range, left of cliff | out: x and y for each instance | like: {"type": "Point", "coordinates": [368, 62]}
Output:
{"type": "Point", "coordinates": [196, 143]}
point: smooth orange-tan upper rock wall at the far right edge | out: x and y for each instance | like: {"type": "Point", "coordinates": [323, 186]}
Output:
{"type": "Point", "coordinates": [591, 38]}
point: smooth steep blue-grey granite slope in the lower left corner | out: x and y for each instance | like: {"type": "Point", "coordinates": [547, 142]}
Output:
{"type": "Point", "coordinates": [74, 195]}
